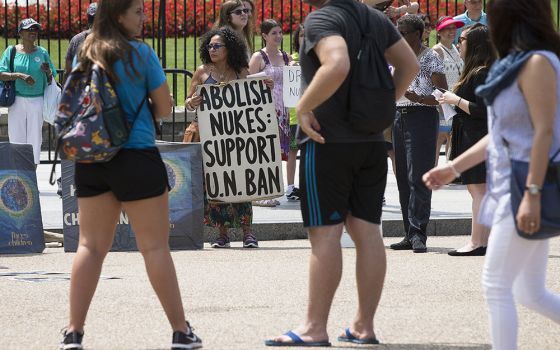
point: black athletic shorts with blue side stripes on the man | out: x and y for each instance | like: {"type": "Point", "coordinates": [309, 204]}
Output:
{"type": "Point", "coordinates": [338, 178]}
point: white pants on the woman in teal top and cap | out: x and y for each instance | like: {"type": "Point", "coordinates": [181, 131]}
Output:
{"type": "Point", "coordinates": [25, 123]}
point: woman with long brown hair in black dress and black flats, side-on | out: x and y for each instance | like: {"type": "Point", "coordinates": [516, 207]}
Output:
{"type": "Point", "coordinates": [470, 124]}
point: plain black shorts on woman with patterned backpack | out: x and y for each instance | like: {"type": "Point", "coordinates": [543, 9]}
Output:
{"type": "Point", "coordinates": [131, 175]}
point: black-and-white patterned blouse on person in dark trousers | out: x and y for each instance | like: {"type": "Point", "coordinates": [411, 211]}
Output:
{"type": "Point", "coordinates": [430, 63]}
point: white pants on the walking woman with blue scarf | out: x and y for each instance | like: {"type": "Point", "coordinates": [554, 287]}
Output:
{"type": "Point", "coordinates": [515, 270]}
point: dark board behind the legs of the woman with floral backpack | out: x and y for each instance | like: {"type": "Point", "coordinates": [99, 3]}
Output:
{"type": "Point", "coordinates": [186, 202]}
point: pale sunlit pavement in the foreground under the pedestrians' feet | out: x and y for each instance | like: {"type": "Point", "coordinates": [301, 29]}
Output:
{"type": "Point", "coordinates": [237, 298]}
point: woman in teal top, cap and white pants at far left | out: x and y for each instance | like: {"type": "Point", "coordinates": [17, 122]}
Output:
{"type": "Point", "coordinates": [32, 71]}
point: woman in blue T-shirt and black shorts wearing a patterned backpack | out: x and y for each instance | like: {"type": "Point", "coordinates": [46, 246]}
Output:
{"type": "Point", "coordinates": [135, 180]}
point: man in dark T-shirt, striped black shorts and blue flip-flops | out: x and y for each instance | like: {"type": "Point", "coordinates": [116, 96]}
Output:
{"type": "Point", "coordinates": [343, 172]}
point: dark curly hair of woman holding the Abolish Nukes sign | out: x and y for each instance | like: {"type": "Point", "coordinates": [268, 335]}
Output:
{"type": "Point", "coordinates": [235, 46]}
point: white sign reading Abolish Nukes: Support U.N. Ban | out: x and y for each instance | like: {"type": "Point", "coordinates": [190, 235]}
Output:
{"type": "Point", "coordinates": [240, 141]}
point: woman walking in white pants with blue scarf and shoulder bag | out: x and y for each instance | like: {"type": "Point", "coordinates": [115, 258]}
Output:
{"type": "Point", "coordinates": [522, 92]}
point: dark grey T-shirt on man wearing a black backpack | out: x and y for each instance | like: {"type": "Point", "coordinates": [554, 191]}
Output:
{"type": "Point", "coordinates": [331, 20]}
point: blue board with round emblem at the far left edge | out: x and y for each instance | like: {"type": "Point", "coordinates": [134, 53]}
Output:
{"type": "Point", "coordinates": [21, 224]}
